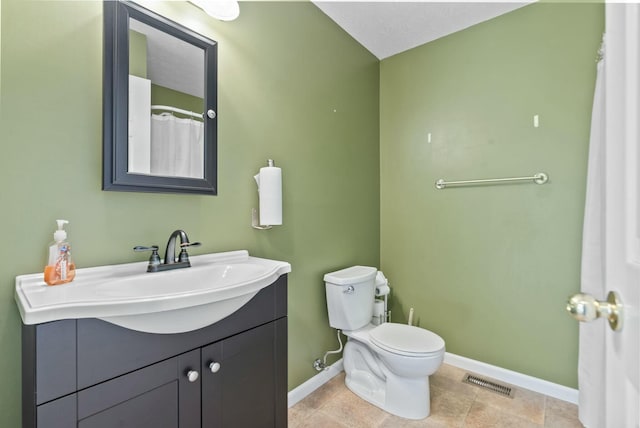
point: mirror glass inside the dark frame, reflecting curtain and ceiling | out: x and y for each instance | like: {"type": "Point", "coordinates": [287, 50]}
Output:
{"type": "Point", "coordinates": [166, 101]}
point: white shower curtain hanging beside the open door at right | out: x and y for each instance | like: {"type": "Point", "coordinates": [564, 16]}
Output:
{"type": "Point", "coordinates": [592, 335]}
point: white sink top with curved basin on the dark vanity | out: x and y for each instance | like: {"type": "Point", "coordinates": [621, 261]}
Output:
{"type": "Point", "coordinates": [174, 301]}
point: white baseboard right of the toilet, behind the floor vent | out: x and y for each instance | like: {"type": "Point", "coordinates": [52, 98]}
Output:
{"type": "Point", "coordinates": [514, 378]}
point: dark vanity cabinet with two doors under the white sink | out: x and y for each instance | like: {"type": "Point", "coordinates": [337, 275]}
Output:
{"type": "Point", "coordinates": [88, 373]}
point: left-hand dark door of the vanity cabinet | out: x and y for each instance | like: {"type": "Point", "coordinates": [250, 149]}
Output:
{"type": "Point", "coordinates": [159, 396]}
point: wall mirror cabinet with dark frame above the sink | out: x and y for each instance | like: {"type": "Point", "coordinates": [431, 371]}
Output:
{"type": "Point", "coordinates": [160, 96]}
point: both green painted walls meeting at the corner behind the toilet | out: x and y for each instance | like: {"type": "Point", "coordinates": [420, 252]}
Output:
{"type": "Point", "coordinates": [488, 268]}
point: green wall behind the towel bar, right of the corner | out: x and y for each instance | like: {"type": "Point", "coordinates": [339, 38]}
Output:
{"type": "Point", "coordinates": [489, 268]}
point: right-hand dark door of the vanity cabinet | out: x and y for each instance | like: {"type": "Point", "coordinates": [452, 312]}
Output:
{"type": "Point", "coordinates": [239, 380]}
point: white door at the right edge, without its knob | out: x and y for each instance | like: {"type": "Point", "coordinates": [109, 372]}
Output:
{"type": "Point", "coordinates": [622, 210]}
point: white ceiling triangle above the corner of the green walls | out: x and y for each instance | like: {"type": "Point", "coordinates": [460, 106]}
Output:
{"type": "Point", "coordinates": [387, 28]}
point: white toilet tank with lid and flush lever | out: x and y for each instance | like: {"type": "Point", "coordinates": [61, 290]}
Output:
{"type": "Point", "coordinates": [350, 294]}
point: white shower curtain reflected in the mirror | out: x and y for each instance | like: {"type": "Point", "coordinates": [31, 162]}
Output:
{"type": "Point", "coordinates": [177, 146]}
